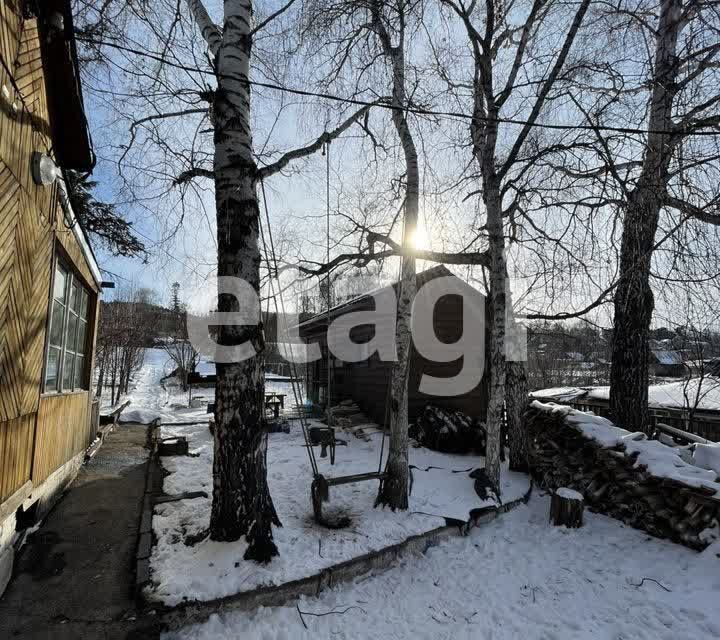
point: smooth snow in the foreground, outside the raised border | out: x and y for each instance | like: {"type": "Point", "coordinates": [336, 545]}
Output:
{"type": "Point", "coordinates": [516, 577]}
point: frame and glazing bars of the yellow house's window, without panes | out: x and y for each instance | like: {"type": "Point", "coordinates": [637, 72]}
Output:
{"type": "Point", "coordinates": [73, 281]}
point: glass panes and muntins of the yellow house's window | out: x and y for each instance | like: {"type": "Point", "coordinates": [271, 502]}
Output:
{"type": "Point", "coordinates": [65, 368]}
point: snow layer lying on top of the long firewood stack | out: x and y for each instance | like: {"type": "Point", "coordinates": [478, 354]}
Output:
{"type": "Point", "coordinates": [661, 460]}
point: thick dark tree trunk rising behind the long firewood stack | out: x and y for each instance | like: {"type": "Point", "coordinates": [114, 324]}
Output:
{"type": "Point", "coordinates": [634, 301]}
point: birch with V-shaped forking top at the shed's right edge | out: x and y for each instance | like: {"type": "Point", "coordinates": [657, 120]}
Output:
{"type": "Point", "coordinates": [491, 27]}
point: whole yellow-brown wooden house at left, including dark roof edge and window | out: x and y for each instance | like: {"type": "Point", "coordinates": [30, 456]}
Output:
{"type": "Point", "coordinates": [49, 280]}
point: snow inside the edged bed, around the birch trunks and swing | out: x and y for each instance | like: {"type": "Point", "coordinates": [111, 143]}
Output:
{"type": "Point", "coordinates": [442, 489]}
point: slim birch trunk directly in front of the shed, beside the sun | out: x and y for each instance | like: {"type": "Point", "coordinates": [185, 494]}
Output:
{"type": "Point", "coordinates": [394, 488]}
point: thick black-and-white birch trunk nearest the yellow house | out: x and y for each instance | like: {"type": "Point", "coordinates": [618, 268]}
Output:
{"type": "Point", "coordinates": [241, 505]}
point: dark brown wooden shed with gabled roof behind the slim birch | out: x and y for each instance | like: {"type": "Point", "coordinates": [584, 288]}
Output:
{"type": "Point", "coordinates": [367, 382]}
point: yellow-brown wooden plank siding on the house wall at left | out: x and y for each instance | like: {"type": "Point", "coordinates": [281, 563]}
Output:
{"type": "Point", "coordinates": [36, 436]}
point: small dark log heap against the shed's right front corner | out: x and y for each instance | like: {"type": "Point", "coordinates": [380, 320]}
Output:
{"type": "Point", "coordinates": [448, 431]}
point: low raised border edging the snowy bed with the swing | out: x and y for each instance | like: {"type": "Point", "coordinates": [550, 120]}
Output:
{"type": "Point", "coordinates": [195, 612]}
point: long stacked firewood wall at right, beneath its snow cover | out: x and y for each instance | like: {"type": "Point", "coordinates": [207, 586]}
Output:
{"type": "Point", "coordinates": [562, 456]}
